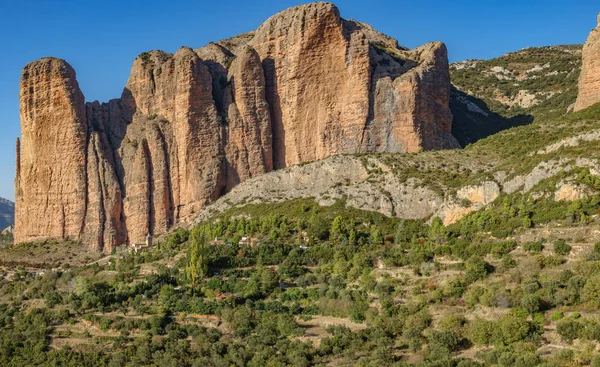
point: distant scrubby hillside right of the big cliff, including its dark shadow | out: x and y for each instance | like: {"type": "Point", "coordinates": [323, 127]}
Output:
{"type": "Point", "coordinates": [513, 89]}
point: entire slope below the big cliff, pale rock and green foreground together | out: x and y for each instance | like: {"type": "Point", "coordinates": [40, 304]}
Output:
{"type": "Point", "coordinates": [513, 283]}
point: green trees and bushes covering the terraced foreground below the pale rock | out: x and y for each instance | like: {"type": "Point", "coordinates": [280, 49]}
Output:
{"type": "Point", "coordinates": [383, 291]}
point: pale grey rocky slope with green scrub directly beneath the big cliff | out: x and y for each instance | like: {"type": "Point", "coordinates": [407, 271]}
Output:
{"type": "Point", "coordinates": [553, 160]}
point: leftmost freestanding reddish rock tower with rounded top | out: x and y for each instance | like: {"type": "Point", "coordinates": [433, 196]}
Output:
{"type": "Point", "coordinates": [51, 186]}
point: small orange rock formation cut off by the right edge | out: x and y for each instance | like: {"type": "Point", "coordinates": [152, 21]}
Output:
{"type": "Point", "coordinates": [589, 80]}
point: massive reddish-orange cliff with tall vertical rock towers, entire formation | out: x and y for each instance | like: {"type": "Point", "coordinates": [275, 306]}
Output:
{"type": "Point", "coordinates": [191, 126]}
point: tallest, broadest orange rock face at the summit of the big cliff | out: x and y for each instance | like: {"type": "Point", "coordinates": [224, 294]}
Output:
{"type": "Point", "coordinates": [318, 79]}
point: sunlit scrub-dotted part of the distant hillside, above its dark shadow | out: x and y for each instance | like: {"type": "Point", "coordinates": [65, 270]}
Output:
{"type": "Point", "coordinates": [549, 73]}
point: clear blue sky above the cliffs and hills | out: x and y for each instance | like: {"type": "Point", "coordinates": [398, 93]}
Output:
{"type": "Point", "coordinates": [101, 38]}
